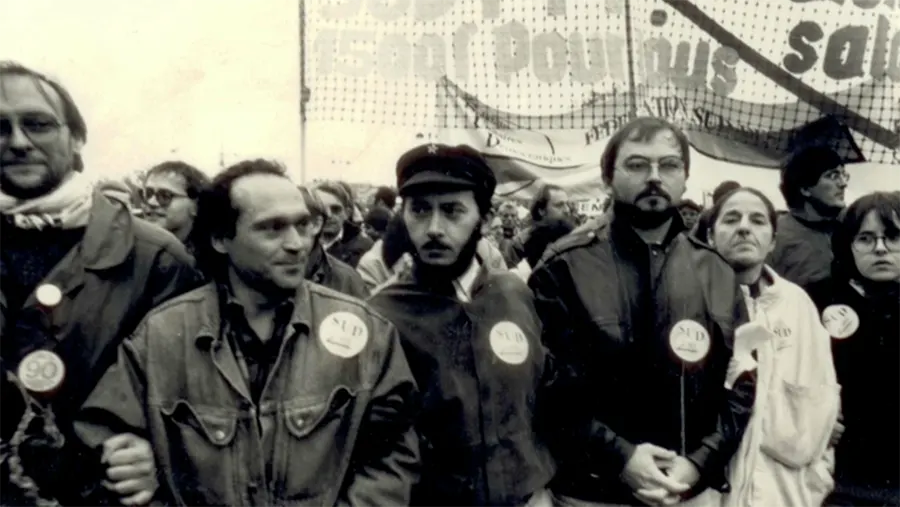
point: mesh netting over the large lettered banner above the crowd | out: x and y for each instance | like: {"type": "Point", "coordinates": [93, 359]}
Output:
{"type": "Point", "coordinates": [748, 80]}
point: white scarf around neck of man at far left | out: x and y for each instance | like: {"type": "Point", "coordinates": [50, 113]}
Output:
{"type": "Point", "coordinates": [68, 206]}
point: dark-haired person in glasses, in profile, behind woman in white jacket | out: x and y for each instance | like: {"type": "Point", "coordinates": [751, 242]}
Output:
{"type": "Point", "coordinates": [814, 184]}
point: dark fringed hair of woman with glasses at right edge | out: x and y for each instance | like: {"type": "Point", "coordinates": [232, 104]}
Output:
{"type": "Point", "coordinates": [886, 205]}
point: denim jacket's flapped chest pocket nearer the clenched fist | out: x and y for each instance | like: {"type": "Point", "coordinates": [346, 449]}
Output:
{"type": "Point", "coordinates": [199, 443]}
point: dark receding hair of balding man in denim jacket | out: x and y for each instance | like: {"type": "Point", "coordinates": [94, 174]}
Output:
{"type": "Point", "coordinates": [217, 215]}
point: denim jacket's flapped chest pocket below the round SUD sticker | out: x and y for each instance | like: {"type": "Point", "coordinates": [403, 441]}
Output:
{"type": "Point", "coordinates": [318, 436]}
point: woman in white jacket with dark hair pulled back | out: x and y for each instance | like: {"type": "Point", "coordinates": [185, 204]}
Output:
{"type": "Point", "coordinates": [786, 455]}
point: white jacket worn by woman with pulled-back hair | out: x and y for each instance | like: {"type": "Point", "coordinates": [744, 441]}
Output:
{"type": "Point", "coordinates": [784, 458]}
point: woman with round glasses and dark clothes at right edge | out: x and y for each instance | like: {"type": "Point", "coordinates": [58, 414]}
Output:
{"type": "Point", "coordinates": [860, 307]}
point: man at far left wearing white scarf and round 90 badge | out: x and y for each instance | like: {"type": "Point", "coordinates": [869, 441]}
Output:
{"type": "Point", "coordinates": [77, 273]}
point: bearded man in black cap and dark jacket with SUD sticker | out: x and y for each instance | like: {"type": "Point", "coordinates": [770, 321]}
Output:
{"type": "Point", "coordinates": [472, 339]}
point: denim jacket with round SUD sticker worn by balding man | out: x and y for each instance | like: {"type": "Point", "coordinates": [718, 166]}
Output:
{"type": "Point", "coordinates": [337, 403]}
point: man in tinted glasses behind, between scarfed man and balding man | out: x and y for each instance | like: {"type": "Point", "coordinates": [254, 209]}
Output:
{"type": "Point", "coordinates": [169, 199]}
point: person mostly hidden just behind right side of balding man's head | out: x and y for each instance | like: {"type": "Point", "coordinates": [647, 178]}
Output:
{"type": "Point", "coordinates": [322, 268]}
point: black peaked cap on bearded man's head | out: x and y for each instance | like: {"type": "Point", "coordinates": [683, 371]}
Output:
{"type": "Point", "coordinates": [438, 166]}
